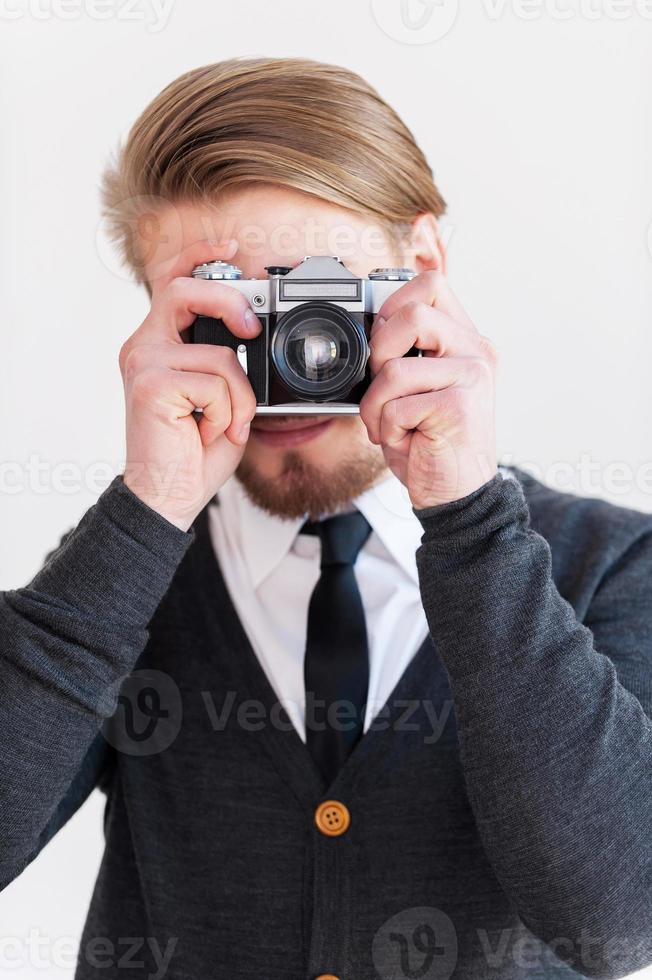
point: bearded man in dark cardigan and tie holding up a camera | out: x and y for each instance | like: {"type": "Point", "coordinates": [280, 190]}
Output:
{"type": "Point", "coordinates": [392, 704]}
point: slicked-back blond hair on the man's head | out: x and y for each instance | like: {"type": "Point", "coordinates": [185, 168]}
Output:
{"type": "Point", "coordinates": [300, 124]}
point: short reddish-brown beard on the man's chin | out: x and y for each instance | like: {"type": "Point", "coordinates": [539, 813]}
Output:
{"type": "Point", "coordinates": [306, 489]}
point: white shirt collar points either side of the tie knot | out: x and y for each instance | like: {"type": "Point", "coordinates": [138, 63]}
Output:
{"type": "Point", "coordinates": [264, 540]}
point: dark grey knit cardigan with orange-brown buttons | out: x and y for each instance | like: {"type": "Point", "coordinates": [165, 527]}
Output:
{"type": "Point", "coordinates": [501, 805]}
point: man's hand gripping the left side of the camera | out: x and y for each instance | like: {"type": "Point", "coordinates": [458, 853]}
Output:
{"type": "Point", "coordinates": [175, 464]}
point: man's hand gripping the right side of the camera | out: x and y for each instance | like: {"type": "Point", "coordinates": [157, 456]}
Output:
{"type": "Point", "coordinates": [433, 415]}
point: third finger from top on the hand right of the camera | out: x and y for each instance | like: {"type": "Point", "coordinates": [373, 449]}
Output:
{"type": "Point", "coordinates": [405, 376]}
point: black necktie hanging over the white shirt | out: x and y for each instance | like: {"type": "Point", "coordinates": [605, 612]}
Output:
{"type": "Point", "coordinates": [336, 665]}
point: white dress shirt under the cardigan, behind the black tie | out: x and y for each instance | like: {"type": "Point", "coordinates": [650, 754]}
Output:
{"type": "Point", "coordinates": [270, 572]}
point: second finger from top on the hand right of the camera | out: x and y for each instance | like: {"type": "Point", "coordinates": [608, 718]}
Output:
{"type": "Point", "coordinates": [422, 326]}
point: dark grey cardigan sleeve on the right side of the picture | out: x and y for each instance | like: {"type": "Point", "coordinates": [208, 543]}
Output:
{"type": "Point", "coordinates": [554, 721]}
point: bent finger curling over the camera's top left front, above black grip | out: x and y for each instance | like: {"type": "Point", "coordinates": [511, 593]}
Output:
{"type": "Point", "coordinates": [184, 299]}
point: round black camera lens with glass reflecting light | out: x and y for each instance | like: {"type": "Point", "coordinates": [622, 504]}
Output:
{"type": "Point", "coordinates": [319, 351]}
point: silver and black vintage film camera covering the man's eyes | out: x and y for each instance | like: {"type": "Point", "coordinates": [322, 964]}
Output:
{"type": "Point", "coordinates": [311, 356]}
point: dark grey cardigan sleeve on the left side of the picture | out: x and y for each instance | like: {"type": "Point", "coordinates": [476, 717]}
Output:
{"type": "Point", "coordinates": [67, 641]}
